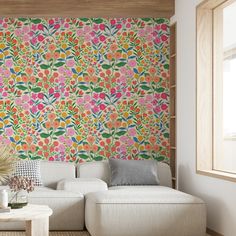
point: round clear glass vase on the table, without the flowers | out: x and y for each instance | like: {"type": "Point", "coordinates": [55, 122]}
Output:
{"type": "Point", "coordinates": [18, 200]}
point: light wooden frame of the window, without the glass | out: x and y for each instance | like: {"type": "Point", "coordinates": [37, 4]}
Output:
{"type": "Point", "coordinates": [207, 69]}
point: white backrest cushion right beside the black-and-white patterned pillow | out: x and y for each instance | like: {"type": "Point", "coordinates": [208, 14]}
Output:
{"type": "Point", "coordinates": [52, 172]}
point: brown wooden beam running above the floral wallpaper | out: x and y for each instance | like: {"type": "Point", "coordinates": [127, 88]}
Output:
{"type": "Point", "coordinates": [87, 8]}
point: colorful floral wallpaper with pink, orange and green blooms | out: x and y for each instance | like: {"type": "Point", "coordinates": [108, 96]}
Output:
{"type": "Point", "coordinates": [85, 89]}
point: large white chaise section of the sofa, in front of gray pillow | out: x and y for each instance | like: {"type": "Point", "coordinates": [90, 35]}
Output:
{"type": "Point", "coordinates": [158, 211]}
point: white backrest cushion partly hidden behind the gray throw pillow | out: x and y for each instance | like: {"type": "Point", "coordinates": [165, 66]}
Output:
{"type": "Point", "coordinates": [101, 170]}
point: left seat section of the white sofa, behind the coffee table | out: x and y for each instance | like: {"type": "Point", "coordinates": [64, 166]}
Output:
{"type": "Point", "coordinates": [68, 209]}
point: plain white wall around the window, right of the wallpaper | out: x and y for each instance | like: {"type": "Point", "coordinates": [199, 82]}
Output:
{"type": "Point", "coordinates": [219, 195]}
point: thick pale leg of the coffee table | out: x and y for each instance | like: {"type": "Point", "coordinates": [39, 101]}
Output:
{"type": "Point", "coordinates": [39, 227]}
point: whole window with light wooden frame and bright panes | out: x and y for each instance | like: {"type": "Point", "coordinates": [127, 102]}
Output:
{"type": "Point", "coordinates": [216, 88]}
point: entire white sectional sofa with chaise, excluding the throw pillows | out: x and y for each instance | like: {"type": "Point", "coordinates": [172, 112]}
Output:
{"type": "Point", "coordinates": [87, 201]}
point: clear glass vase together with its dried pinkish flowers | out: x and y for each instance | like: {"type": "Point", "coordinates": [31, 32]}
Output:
{"type": "Point", "coordinates": [19, 185]}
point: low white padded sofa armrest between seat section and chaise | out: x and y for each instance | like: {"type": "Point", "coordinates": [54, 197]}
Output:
{"type": "Point", "coordinates": [82, 185]}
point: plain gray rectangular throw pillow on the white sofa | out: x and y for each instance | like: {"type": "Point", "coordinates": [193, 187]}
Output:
{"type": "Point", "coordinates": [133, 172]}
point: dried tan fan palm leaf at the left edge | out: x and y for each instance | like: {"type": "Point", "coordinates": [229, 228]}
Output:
{"type": "Point", "coordinates": [7, 161]}
